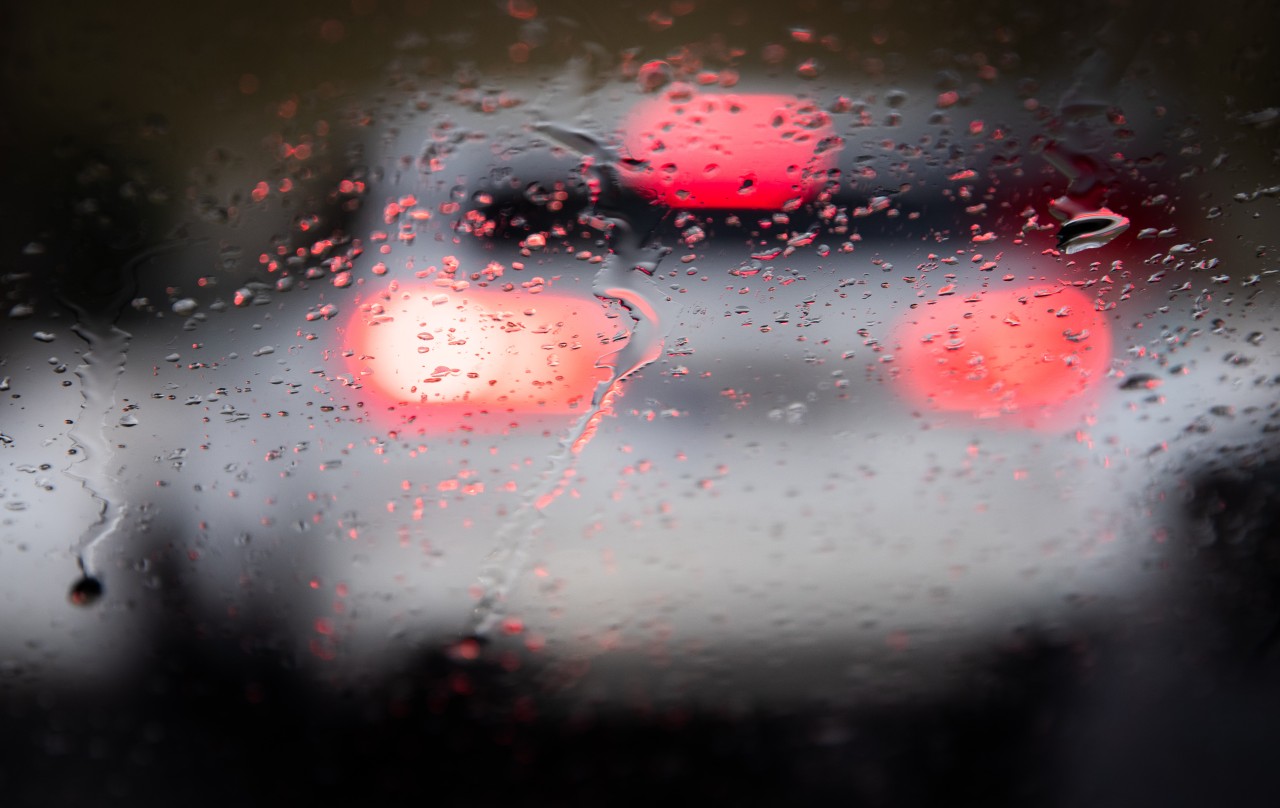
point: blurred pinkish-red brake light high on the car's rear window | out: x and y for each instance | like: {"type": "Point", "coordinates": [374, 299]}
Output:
{"type": "Point", "coordinates": [729, 152]}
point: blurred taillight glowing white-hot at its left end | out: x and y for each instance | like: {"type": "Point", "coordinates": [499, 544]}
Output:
{"type": "Point", "coordinates": [481, 350]}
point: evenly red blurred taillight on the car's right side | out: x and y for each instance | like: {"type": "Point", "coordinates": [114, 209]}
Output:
{"type": "Point", "coordinates": [1008, 351]}
